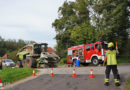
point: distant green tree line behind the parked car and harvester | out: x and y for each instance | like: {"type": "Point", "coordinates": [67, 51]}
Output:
{"type": "Point", "coordinates": [11, 47]}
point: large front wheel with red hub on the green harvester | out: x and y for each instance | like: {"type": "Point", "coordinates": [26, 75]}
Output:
{"type": "Point", "coordinates": [30, 62]}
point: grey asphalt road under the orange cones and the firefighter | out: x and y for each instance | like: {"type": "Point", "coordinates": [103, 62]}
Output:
{"type": "Point", "coordinates": [63, 81]}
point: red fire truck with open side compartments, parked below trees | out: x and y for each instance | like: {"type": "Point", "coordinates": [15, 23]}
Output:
{"type": "Point", "coordinates": [90, 53]}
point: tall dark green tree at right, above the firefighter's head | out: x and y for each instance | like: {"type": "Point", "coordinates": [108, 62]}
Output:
{"type": "Point", "coordinates": [112, 18]}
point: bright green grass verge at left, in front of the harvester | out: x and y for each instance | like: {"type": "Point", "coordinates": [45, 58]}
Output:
{"type": "Point", "coordinates": [9, 75]}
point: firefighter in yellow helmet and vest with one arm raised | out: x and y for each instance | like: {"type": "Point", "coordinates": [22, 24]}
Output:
{"type": "Point", "coordinates": [110, 58]}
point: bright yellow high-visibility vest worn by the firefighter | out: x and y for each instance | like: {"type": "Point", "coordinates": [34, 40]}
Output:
{"type": "Point", "coordinates": [111, 57]}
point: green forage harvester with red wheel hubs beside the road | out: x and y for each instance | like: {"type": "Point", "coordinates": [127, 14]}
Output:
{"type": "Point", "coordinates": [36, 55]}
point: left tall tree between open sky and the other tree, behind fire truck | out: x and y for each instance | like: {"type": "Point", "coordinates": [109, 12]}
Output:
{"type": "Point", "coordinates": [73, 17]}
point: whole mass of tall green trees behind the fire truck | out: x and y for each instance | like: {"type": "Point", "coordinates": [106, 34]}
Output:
{"type": "Point", "coordinates": [83, 22]}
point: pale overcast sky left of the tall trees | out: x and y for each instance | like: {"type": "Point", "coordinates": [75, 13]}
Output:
{"type": "Point", "coordinates": [29, 19]}
